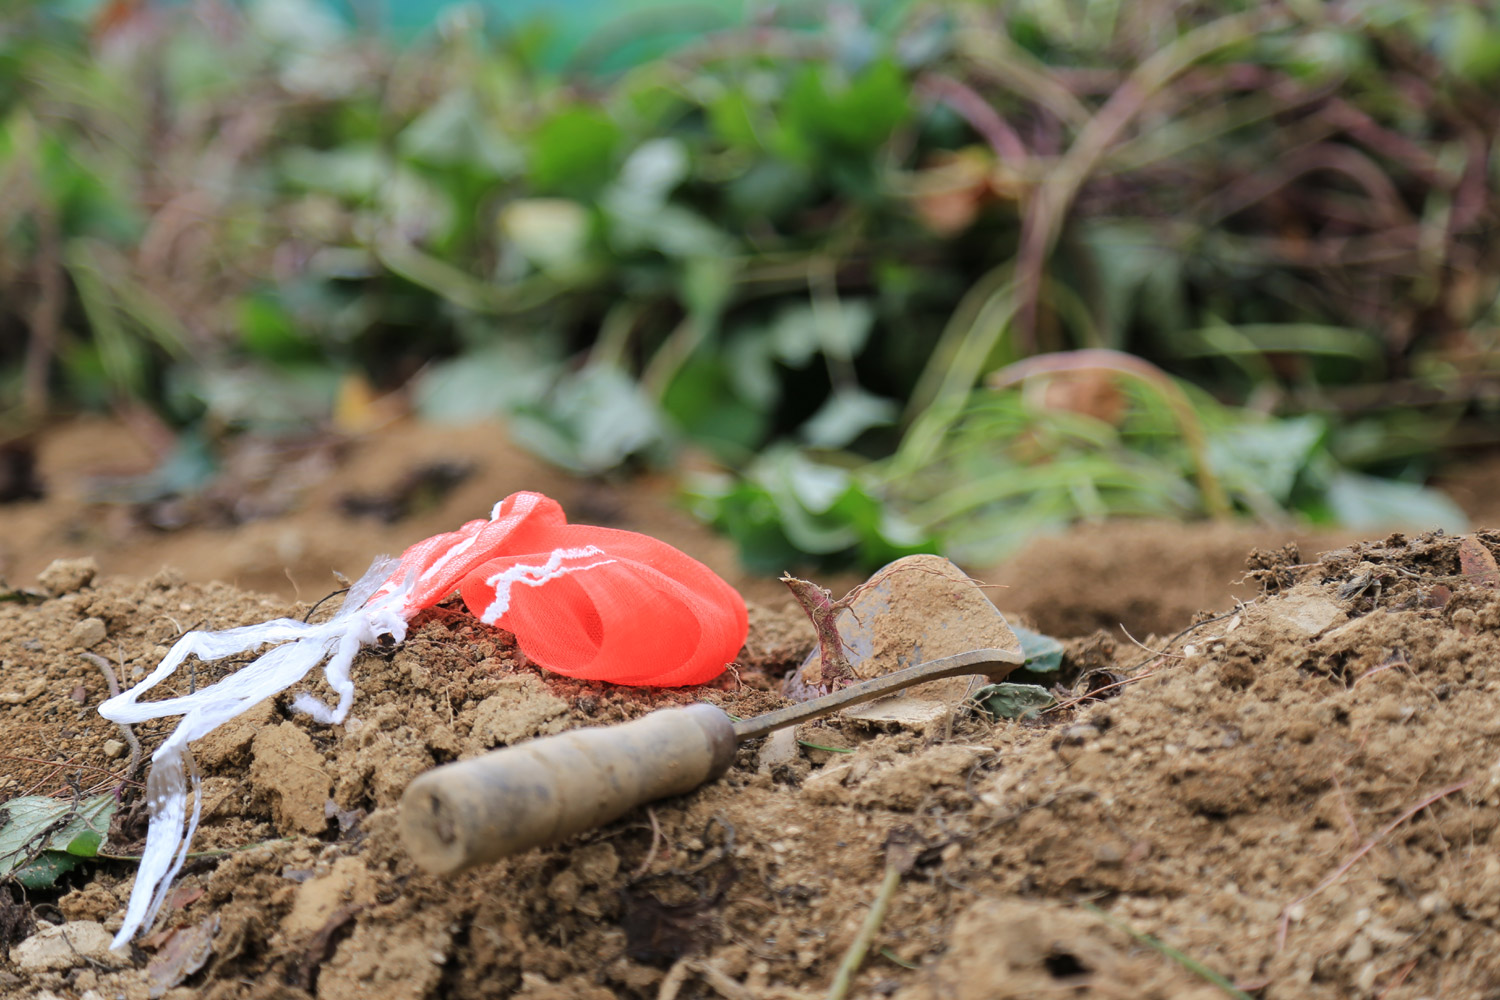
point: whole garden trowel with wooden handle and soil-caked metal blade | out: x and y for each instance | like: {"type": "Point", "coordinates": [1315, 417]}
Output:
{"type": "Point", "coordinates": [917, 626]}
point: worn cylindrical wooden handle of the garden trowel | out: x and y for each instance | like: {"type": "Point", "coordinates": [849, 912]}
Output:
{"type": "Point", "coordinates": [545, 791]}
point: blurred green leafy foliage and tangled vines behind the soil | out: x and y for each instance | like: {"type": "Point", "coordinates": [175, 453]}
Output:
{"type": "Point", "coordinates": [797, 248]}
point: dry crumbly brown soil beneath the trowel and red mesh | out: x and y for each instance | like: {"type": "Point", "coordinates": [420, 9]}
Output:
{"type": "Point", "coordinates": [1250, 797]}
